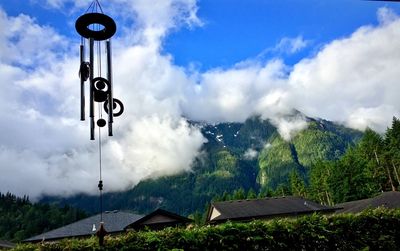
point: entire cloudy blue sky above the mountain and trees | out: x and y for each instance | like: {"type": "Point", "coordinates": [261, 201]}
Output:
{"type": "Point", "coordinates": [173, 60]}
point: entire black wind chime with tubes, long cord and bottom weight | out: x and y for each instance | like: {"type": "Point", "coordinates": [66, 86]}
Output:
{"type": "Point", "coordinates": [96, 30]}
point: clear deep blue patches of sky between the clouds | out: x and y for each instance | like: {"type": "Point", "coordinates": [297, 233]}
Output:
{"type": "Point", "coordinates": [234, 30]}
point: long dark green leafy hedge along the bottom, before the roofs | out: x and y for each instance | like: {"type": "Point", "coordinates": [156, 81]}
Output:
{"type": "Point", "coordinates": [376, 229]}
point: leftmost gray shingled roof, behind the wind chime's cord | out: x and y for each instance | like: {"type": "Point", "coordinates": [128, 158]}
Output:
{"type": "Point", "coordinates": [114, 222]}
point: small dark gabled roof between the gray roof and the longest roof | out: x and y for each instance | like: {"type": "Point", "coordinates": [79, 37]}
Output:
{"type": "Point", "coordinates": [159, 217]}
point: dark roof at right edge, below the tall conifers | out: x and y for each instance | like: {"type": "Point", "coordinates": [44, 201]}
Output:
{"type": "Point", "coordinates": [386, 199]}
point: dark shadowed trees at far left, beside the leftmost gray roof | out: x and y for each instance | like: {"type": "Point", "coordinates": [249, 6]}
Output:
{"type": "Point", "coordinates": [21, 219]}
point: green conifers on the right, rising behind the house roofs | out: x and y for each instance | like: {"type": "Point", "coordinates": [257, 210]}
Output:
{"type": "Point", "coordinates": [366, 169]}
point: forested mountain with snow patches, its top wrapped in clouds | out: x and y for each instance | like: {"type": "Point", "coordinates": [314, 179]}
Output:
{"type": "Point", "coordinates": [249, 156]}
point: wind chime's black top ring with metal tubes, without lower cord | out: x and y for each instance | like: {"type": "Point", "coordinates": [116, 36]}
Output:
{"type": "Point", "coordinates": [97, 29]}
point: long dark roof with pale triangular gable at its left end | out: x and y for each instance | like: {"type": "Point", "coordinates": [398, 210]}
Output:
{"type": "Point", "coordinates": [263, 208]}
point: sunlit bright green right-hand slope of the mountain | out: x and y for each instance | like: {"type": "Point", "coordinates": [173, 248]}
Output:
{"type": "Point", "coordinates": [322, 140]}
